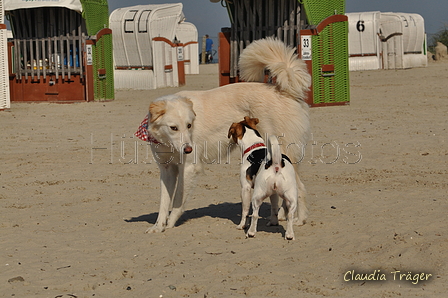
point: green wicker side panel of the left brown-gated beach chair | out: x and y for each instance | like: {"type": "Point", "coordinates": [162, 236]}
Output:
{"type": "Point", "coordinates": [96, 14]}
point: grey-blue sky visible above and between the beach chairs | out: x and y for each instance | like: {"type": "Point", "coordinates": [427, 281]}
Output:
{"type": "Point", "coordinates": [210, 17]}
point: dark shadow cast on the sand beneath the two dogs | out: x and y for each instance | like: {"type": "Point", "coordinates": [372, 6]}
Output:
{"type": "Point", "coordinates": [228, 211]}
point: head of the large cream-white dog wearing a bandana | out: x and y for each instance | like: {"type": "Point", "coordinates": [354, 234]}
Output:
{"type": "Point", "coordinates": [171, 122]}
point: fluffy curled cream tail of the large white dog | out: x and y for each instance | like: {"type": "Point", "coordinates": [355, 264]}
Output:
{"type": "Point", "coordinates": [291, 73]}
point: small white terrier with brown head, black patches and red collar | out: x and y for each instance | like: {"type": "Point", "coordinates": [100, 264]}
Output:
{"type": "Point", "coordinates": [268, 172]}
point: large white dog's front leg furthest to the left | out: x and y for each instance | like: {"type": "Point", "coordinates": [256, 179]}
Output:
{"type": "Point", "coordinates": [168, 178]}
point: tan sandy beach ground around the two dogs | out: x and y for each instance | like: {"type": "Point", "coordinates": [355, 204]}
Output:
{"type": "Point", "coordinates": [78, 191]}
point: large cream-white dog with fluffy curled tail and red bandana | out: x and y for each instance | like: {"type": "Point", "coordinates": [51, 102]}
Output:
{"type": "Point", "coordinates": [197, 122]}
